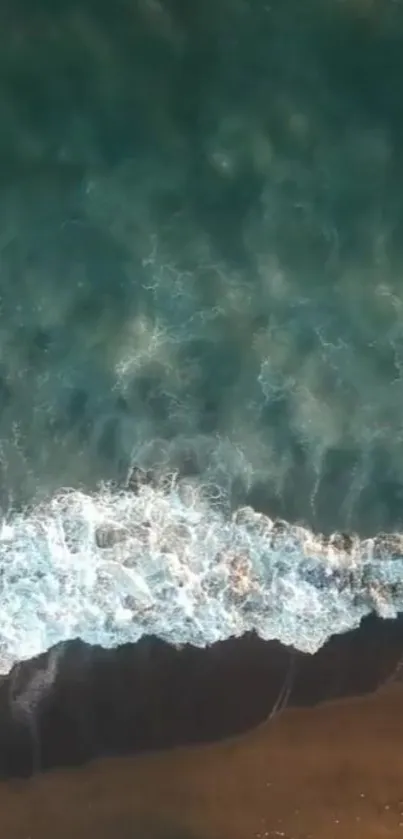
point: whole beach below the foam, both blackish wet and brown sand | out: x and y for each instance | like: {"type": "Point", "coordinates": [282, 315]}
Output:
{"type": "Point", "coordinates": [320, 771]}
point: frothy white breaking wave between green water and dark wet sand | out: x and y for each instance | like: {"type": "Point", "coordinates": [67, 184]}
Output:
{"type": "Point", "coordinates": [167, 558]}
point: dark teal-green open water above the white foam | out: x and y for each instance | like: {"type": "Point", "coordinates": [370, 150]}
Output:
{"type": "Point", "coordinates": [200, 252]}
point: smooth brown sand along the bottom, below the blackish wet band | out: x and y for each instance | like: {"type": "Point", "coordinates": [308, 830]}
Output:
{"type": "Point", "coordinates": [333, 771]}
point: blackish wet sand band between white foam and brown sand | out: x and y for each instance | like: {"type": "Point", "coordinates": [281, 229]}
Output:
{"type": "Point", "coordinates": [151, 696]}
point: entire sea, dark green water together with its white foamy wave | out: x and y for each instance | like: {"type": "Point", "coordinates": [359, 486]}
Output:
{"type": "Point", "coordinates": [200, 275]}
